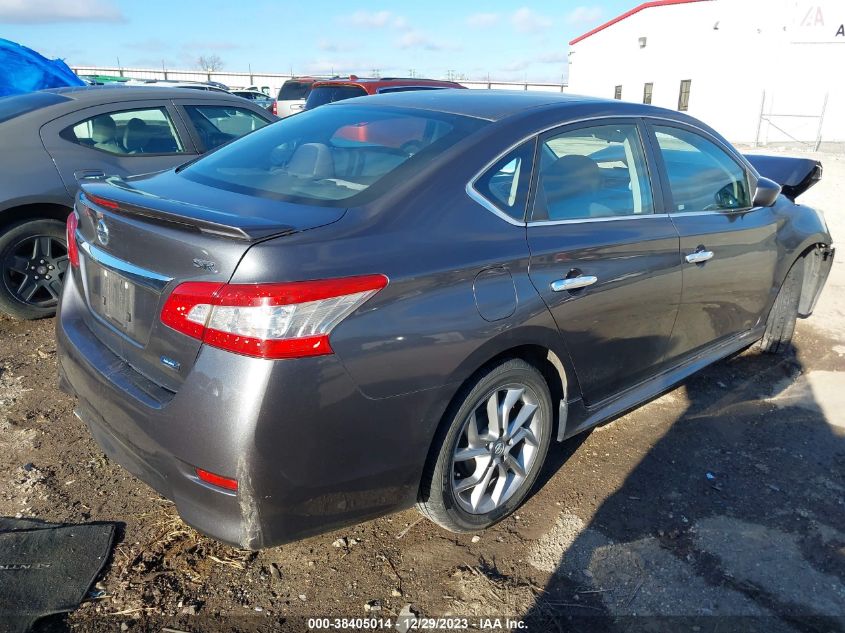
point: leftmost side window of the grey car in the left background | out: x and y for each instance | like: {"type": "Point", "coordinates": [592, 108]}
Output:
{"type": "Point", "coordinates": [147, 131]}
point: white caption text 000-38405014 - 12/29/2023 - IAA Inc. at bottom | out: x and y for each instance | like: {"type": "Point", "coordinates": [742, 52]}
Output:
{"type": "Point", "coordinates": [415, 623]}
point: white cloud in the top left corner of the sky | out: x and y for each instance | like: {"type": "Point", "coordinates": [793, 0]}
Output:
{"type": "Point", "coordinates": [54, 11]}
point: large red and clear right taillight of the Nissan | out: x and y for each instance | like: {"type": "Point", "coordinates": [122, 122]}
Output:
{"type": "Point", "coordinates": [278, 320]}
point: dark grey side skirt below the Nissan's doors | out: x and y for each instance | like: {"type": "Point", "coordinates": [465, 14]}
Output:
{"type": "Point", "coordinates": [580, 418]}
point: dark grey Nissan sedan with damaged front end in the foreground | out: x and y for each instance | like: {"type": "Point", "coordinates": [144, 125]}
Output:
{"type": "Point", "coordinates": [403, 299]}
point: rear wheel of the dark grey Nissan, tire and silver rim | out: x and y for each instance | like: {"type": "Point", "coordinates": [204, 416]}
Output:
{"type": "Point", "coordinates": [490, 449]}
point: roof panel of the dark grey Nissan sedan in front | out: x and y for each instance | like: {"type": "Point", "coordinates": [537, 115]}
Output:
{"type": "Point", "coordinates": [494, 105]}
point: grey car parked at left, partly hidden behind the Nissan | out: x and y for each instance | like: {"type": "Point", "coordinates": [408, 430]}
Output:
{"type": "Point", "coordinates": [54, 139]}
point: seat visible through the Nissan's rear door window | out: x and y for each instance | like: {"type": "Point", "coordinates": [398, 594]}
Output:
{"type": "Point", "coordinates": [569, 187]}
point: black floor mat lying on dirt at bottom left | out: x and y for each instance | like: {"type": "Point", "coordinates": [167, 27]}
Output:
{"type": "Point", "coordinates": [47, 568]}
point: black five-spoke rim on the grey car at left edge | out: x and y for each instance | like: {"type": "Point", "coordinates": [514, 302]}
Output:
{"type": "Point", "coordinates": [34, 268]}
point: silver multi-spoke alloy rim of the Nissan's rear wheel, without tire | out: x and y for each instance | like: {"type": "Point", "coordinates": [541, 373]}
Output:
{"type": "Point", "coordinates": [497, 448]}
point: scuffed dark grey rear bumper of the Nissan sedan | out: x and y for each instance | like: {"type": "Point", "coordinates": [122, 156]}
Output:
{"type": "Point", "coordinates": [309, 451]}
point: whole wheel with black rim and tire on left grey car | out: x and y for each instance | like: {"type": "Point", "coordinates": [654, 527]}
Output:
{"type": "Point", "coordinates": [33, 262]}
